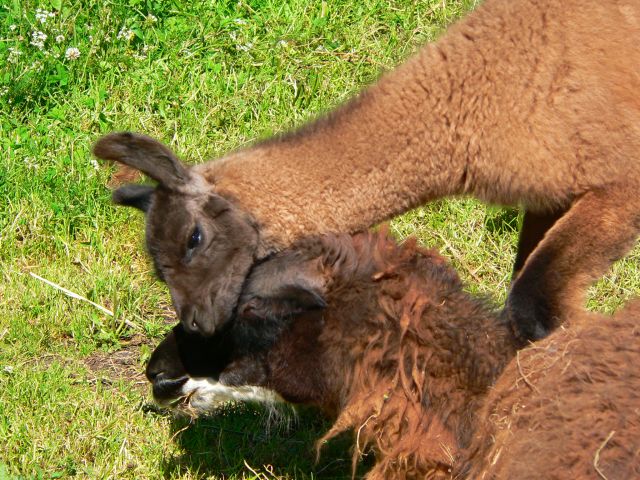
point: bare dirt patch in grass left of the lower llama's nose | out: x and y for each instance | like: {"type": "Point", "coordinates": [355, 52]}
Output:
{"type": "Point", "coordinates": [123, 364]}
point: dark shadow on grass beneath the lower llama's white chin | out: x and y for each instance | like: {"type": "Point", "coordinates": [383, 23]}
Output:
{"type": "Point", "coordinates": [244, 441]}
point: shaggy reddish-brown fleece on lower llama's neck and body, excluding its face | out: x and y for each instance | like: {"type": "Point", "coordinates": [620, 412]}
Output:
{"type": "Point", "coordinates": [431, 379]}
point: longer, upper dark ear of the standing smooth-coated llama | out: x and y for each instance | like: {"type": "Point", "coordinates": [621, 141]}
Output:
{"type": "Point", "coordinates": [145, 154]}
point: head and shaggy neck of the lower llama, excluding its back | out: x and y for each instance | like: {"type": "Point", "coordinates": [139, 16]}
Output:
{"type": "Point", "coordinates": [380, 336]}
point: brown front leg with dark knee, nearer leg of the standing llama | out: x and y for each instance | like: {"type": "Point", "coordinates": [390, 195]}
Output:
{"type": "Point", "coordinates": [597, 230]}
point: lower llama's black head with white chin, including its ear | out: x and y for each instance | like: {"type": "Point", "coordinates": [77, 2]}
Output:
{"type": "Point", "coordinates": [277, 324]}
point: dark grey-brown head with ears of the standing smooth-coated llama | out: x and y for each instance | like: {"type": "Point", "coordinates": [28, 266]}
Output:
{"type": "Point", "coordinates": [202, 245]}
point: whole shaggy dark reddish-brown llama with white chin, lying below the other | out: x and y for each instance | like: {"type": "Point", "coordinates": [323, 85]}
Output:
{"type": "Point", "coordinates": [383, 338]}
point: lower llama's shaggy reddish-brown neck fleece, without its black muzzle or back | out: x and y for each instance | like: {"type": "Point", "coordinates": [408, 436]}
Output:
{"type": "Point", "coordinates": [401, 355]}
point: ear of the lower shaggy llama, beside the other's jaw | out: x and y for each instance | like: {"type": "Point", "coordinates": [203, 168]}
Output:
{"type": "Point", "coordinates": [279, 288]}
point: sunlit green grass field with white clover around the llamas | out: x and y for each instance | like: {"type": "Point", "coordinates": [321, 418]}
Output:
{"type": "Point", "coordinates": [205, 77]}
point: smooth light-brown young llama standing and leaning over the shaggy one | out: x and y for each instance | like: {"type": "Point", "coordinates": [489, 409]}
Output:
{"type": "Point", "coordinates": [522, 102]}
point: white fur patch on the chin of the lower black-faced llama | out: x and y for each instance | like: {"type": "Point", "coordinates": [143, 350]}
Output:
{"type": "Point", "coordinates": [202, 395]}
